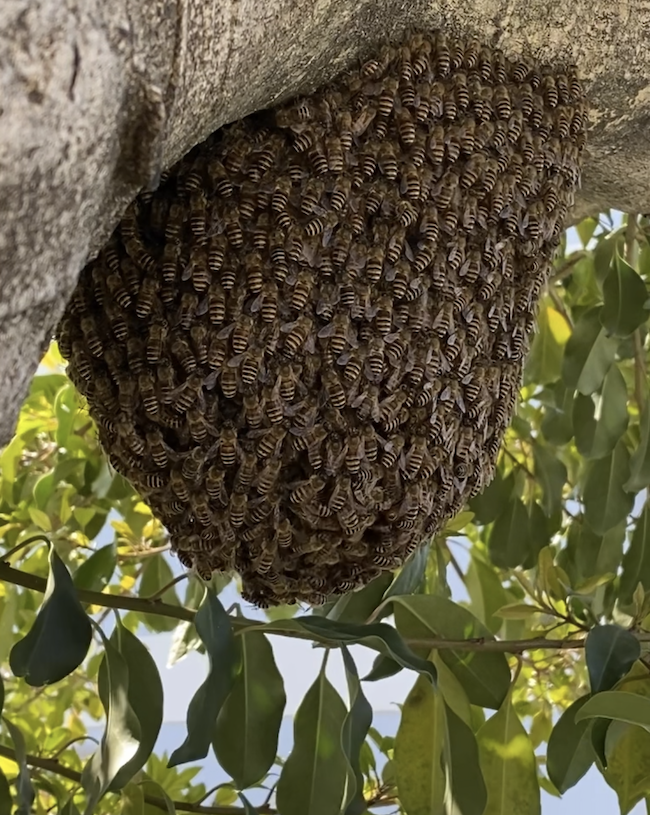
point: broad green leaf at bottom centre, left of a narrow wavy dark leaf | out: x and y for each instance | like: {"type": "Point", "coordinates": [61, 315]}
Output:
{"type": "Point", "coordinates": [314, 776]}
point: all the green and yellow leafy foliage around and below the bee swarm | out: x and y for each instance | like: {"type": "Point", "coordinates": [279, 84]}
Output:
{"type": "Point", "coordinates": [537, 673]}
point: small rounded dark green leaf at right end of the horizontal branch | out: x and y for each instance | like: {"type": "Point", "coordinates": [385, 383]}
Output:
{"type": "Point", "coordinates": [610, 652]}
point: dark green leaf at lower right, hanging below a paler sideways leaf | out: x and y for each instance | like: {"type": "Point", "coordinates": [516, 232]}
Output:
{"type": "Point", "coordinates": [569, 754]}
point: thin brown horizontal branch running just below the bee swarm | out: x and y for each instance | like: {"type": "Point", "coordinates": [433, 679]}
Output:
{"type": "Point", "coordinates": [30, 581]}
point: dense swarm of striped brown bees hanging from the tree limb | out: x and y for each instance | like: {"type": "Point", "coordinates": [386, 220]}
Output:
{"type": "Point", "coordinates": [304, 348]}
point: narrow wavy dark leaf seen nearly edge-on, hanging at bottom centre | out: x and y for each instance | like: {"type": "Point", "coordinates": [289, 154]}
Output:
{"type": "Point", "coordinates": [355, 729]}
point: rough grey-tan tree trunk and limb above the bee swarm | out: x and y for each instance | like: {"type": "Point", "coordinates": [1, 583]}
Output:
{"type": "Point", "coordinates": [96, 98]}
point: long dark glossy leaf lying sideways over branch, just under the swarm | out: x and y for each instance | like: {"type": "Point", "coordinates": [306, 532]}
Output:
{"type": "Point", "coordinates": [381, 636]}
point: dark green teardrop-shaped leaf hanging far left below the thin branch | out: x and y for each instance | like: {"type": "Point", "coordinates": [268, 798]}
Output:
{"type": "Point", "coordinates": [58, 641]}
